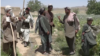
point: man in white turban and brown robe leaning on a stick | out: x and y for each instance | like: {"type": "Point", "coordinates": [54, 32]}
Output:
{"type": "Point", "coordinates": [8, 38]}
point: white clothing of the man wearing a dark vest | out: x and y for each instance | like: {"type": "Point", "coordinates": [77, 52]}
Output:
{"type": "Point", "coordinates": [26, 28]}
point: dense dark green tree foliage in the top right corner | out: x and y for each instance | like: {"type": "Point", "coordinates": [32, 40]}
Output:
{"type": "Point", "coordinates": [93, 7]}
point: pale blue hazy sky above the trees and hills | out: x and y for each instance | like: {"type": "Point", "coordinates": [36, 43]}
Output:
{"type": "Point", "coordinates": [55, 3]}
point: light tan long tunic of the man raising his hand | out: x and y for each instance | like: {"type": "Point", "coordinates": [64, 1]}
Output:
{"type": "Point", "coordinates": [70, 27]}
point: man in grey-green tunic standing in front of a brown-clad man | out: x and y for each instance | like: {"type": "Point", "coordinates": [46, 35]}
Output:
{"type": "Point", "coordinates": [44, 29]}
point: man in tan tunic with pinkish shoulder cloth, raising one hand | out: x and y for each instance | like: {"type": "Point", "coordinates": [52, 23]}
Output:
{"type": "Point", "coordinates": [71, 27]}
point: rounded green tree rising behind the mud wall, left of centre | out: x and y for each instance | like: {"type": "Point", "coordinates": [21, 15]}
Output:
{"type": "Point", "coordinates": [34, 5]}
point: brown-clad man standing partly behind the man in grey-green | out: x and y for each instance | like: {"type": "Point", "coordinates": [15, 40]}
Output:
{"type": "Point", "coordinates": [50, 16]}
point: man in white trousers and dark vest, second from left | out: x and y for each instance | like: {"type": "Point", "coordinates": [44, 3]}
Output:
{"type": "Point", "coordinates": [27, 22]}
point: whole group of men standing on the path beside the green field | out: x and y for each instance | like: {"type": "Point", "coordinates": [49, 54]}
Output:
{"type": "Point", "coordinates": [44, 24]}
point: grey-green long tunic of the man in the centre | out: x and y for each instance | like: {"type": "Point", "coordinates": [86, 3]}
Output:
{"type": "Point", "coordinates": [44, 27]}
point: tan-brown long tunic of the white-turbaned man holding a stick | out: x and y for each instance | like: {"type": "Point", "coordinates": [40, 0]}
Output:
{"type": "Point", "coordinates": [8, 37]}
